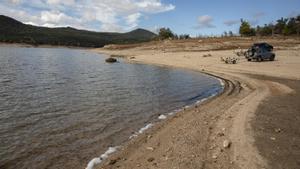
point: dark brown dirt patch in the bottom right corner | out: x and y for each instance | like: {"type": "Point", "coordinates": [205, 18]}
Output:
{"type": "Point", "coordinates": [276, 126]}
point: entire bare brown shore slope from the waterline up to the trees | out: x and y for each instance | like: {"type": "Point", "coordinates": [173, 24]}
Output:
{"type": "Point", "coordinates": [223, 132]}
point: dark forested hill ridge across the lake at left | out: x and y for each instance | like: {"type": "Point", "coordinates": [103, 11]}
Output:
{"type": "Point", "coordinates": [13, 31]}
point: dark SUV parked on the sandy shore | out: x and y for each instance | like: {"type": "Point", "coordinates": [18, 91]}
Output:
{"type": "Point", "coordinates": [260, 52]}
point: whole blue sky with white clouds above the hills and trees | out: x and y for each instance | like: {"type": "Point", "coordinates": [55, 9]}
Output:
{"type": "Point", "coordinates": [194, 17]}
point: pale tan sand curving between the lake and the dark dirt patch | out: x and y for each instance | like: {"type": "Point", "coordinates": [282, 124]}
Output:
{"type": "Point", "coordinates": [232, 114]}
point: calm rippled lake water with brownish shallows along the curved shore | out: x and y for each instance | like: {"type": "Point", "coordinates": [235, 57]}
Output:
{"type": "Point", "coordinates": [59, 108]}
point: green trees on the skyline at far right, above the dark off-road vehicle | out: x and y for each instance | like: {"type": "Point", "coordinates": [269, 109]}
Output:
{"type": "Point", "coordinates": [283, 26]}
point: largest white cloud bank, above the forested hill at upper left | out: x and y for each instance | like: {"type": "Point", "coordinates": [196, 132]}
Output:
{"type": "Point", "coordinates": [100, 15]}
